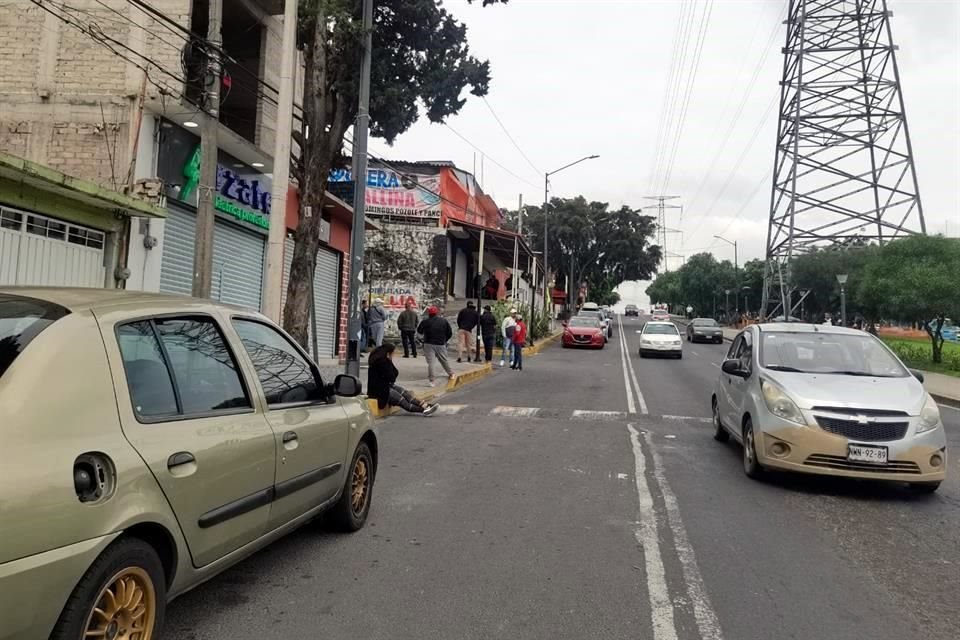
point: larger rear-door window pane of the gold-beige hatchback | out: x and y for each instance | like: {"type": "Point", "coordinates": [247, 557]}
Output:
{"type": "Point", "coordinates": [204, 370]}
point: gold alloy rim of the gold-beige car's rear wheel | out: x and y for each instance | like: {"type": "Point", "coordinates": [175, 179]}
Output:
{"type": "Point", "coordinates": [126, 608]}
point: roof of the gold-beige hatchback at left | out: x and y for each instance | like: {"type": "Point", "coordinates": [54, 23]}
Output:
{"type": "Point", "coordinates": [78, 299]}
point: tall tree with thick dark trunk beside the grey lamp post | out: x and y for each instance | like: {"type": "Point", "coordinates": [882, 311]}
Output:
{"type": "Point", "coordinates": [421, 61]}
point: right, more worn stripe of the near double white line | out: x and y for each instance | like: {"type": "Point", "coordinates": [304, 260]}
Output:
{"type": "Point", "coordinates": [706, 618]}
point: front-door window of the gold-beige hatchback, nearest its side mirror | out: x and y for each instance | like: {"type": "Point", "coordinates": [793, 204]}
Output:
{"type": "Point", "coordinates": [285, 375]}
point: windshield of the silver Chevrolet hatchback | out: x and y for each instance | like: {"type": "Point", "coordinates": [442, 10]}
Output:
{"type": "Point", "coordinates": [829, 353]}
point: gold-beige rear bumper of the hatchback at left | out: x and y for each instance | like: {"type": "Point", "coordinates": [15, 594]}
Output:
{"type": "Point", "coordinates": [36, 588]}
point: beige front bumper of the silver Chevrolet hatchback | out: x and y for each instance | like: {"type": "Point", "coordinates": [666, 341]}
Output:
{"type": "Point", "coordinates": [812, 450]}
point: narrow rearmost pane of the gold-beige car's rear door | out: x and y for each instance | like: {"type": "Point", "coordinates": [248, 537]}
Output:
{"type": "Point", "coordinates": [148, 378]}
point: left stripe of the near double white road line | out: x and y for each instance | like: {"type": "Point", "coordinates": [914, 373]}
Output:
{"type": "Point", "coordinates": [661, 607]}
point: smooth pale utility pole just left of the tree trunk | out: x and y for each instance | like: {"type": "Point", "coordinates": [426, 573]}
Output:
{"type": "Point", "coordinates": [281, 169]}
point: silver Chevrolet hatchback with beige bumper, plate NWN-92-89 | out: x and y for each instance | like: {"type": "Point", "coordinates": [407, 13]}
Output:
{"type": "Point", "coordinates": [827, 400]}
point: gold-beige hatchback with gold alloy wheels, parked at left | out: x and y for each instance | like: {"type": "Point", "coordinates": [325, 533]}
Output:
{"type": "Point", "coordinates": [155, 441]}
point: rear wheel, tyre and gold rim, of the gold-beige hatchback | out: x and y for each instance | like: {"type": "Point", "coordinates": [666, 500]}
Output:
{"type": "Point", "coordinates": [122, 595]}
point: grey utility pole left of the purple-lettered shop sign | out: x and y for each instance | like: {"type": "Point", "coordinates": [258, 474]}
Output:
{"type": "Point", "coordinates": [203, 238]}
